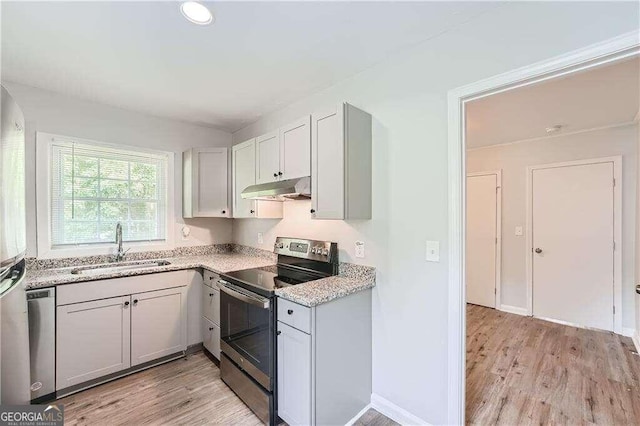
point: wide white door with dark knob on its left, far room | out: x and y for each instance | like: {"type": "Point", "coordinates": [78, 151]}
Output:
{"type": "Point", "coordinates": [573, 234]}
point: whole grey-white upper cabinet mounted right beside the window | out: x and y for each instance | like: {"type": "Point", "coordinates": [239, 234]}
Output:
{"type": "Point", "coordinates": [205, 183]}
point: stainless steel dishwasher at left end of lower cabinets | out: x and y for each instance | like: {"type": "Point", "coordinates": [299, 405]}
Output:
{"type": "Point", "coordinates": [41, 305]}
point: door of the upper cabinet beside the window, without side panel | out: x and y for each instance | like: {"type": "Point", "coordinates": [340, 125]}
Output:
{"type": "Point", "coordinates": [210, 192]}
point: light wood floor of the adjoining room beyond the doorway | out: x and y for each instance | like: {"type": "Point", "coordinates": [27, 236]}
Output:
{"type": "Point", "coordinates": [522, 370]}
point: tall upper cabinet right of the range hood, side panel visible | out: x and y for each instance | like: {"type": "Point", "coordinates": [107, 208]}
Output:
{"type": "Point", "coordinates": [341, 163]}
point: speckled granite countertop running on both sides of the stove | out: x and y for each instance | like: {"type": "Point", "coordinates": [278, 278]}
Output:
{"type": "Point", "coordinates": [351, 279]}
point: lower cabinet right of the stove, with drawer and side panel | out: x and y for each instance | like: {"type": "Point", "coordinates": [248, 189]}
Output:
{"type": "Point", "coordinates": [324, 360]}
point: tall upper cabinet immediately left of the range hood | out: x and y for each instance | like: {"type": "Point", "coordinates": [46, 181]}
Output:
{"type": "Point", "coordinates": [244, 169]}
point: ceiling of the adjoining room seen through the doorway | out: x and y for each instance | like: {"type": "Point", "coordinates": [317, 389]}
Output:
{"type": "Point", "coordinates": [600, 97]}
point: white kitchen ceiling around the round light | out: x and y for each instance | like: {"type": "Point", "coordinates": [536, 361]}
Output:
{"type": "Point", "coordinates": [256, 58]}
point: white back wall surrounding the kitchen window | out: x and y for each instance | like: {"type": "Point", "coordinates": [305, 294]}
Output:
{"type": "Point", "coordinates": [54, 113]}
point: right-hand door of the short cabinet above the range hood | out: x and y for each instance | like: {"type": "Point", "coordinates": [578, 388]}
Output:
{"type": "Point", "coordinates": [295, 149]}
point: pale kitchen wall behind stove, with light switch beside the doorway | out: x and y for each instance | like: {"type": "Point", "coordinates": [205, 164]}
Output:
{"type": "Point", "coordinates": [406, 95]}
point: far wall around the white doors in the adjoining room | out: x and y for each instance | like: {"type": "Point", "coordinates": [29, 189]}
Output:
{"type": "Point", "coordinates": [513, 160]}
